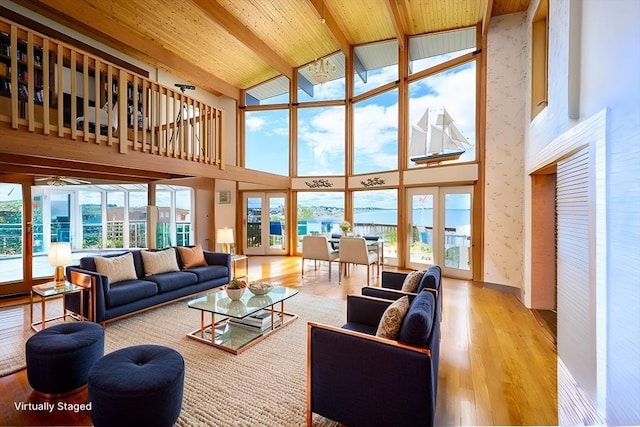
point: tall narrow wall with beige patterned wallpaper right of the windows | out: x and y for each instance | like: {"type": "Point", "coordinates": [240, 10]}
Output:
{"type": "Point", "coordinates": [507, 47]}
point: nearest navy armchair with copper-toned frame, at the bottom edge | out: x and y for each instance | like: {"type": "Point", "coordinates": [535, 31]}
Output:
{"type": "Point", "coordinates": [358, 379]}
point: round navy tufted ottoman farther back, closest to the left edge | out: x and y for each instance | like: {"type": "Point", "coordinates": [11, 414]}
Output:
{"type": "Point", "coordinates": [59, 357]}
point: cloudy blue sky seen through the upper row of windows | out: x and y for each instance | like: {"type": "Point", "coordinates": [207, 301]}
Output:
{"type": "Point", "coordinates": [321, 130]}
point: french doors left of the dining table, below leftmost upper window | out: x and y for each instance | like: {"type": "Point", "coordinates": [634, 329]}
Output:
{"type": "Point", "coordinates": [264, 223]}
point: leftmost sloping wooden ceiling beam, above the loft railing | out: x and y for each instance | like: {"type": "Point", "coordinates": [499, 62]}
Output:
{"type": "Point", "coordinates": [120, 37]}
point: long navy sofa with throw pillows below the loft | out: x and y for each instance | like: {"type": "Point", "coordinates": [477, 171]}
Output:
{"type": "Point", "coordinates": [110, 301]}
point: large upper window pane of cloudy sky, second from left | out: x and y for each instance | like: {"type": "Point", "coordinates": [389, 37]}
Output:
{"type": "Point", "coordinates": [321, 141]}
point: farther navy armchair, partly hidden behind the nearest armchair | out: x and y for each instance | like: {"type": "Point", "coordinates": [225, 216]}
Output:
{"type": "Point", "coordinates": [391, 285]}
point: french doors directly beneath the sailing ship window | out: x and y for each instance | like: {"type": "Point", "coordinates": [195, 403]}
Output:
{"type": "Point", "coordinates": [439, 229]}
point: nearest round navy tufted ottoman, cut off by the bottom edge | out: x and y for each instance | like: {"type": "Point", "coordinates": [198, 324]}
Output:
{"type": "Point", "coordinates": [137, 386]}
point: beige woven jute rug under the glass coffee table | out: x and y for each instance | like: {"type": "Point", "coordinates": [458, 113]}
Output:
{"type": "Point", "coordinates": [265, 385]}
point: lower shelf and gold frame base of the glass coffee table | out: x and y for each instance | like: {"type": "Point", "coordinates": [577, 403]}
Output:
{"type": "Point", "coordinates": [233, 338]}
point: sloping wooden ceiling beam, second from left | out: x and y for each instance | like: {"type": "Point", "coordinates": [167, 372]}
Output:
{"type": "Point", "coordinates": [230, 23]}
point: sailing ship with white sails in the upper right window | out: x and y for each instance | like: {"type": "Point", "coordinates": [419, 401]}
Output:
{"type": "Point", "coordinates": [435, 138]}
